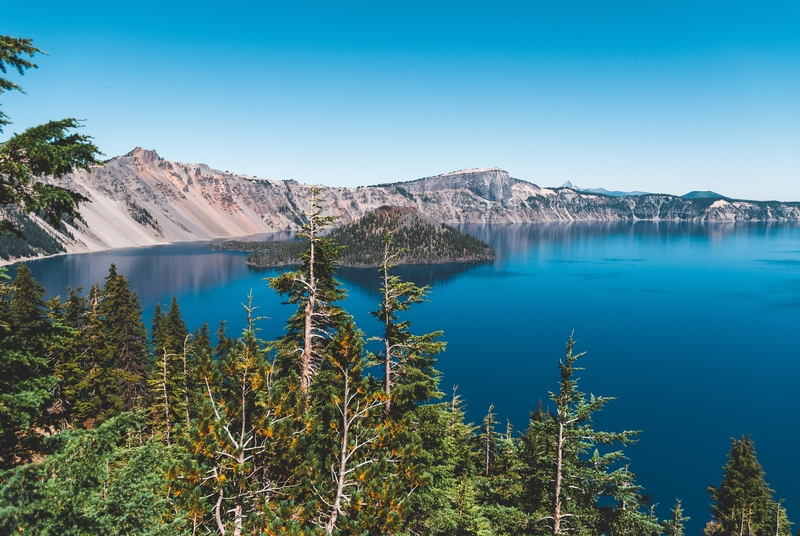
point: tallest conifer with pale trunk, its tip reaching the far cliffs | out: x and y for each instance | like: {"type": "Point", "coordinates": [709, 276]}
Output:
{"type": "Point", "coordinates": [313, 289]}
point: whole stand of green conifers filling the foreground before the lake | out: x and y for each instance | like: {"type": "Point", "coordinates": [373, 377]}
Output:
{"type": "Point", "coordinates": [109, 428]}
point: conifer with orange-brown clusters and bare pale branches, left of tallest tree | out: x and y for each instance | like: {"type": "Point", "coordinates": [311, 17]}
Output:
{"type": "Point", "coordinates": [239, 440]}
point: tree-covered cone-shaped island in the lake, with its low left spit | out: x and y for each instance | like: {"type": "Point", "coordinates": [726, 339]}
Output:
{"type": "Point", "coordinates": [417, 239]}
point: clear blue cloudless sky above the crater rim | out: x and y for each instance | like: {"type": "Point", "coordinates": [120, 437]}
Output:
{"type": "Point", "coordinates": [627, 95]}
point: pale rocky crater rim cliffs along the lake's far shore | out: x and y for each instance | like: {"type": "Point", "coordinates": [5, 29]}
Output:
{"type": "Point", "coordinates": [141, 198]}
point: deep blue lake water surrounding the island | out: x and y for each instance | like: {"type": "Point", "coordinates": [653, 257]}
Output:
{"type": "Point", "coordinates": [694, 328]}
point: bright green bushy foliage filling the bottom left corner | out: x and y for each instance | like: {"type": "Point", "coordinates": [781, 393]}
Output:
{"type": "Point", "coordinates": [110, 480]}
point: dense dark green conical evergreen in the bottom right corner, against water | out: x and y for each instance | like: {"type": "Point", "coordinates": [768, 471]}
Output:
{"type": "Point", "coordinates": [743, 503]}
